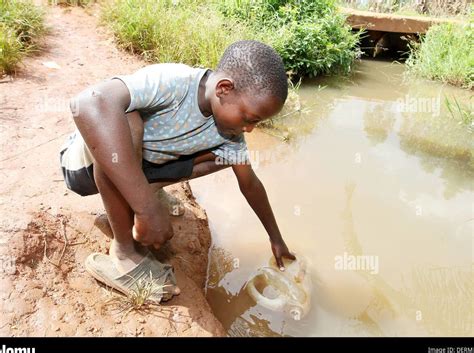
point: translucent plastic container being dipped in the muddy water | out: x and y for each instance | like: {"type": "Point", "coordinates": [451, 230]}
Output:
{"type": "Point", "coordinates": [287, 292]}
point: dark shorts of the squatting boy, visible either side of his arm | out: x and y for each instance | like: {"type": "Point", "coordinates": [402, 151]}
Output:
{"type": "Point", "coordinates": [82, 181]}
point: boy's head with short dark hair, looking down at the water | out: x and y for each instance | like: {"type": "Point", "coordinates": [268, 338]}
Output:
{"type": "Point", "coordinates": [249, 85]}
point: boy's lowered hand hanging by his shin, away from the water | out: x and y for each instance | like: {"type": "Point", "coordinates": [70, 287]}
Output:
{"type": "Point", "coordinates": [153, 227]}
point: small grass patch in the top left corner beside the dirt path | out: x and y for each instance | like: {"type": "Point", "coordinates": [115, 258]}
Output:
{"type": "Point", "coordinates": [21, 26]}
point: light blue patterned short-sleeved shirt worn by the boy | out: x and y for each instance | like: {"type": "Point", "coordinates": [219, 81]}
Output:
{"type": "Point", "coordinates": [166, 96]}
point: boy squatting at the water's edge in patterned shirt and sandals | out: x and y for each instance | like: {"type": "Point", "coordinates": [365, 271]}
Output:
{"type": "Point", "coordinates": [163, 124]}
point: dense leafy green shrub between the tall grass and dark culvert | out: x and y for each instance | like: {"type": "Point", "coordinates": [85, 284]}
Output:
{"type": "Point", "coordinates": [310, 35]}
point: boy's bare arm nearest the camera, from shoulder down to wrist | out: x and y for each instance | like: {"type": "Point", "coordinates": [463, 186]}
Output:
{"type": "Point", "coordinates": [99, 114]}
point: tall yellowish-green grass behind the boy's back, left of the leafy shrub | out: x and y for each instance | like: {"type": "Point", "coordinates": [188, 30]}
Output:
{"type": "Point", "coordinates": [190, 32]}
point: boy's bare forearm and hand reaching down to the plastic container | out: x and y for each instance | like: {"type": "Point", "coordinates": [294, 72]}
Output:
{"type": "Point", "coordinates": [254, 191]}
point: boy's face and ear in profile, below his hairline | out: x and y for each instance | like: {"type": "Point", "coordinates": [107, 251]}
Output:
{"type": "Point", "coordinates": [235, 113]}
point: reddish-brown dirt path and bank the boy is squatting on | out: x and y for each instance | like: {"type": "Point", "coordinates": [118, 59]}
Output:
{"type": "Point", "coordinates": [48, 231]}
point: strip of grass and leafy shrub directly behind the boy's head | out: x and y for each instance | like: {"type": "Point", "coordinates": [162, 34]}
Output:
{"type": "Point", "coordinates": [311, 36]}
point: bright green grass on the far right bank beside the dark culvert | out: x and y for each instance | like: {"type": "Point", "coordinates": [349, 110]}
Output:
{"type": "Point", "coordinates": [446, 54]}
